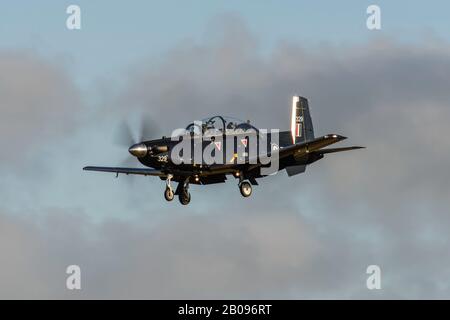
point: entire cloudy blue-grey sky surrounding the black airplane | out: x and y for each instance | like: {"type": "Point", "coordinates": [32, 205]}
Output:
{"type": "Point", "coordinates": [64, 94]}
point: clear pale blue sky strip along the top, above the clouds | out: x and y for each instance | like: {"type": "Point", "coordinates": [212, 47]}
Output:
{"type": "Point", "coordinates": [115, 33]}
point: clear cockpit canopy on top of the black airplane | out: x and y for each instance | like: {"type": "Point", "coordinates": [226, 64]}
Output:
{"type": "Point", "coordinates": [219, 125]}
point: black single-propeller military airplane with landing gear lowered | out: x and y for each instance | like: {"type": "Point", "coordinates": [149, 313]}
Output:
{"type": "Point", "coordinates": [292, 149]}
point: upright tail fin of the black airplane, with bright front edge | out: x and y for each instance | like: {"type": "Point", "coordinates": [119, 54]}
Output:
{"type": "Point", "coordinates": [301, 124]}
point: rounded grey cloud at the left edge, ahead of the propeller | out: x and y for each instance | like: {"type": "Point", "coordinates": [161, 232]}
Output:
{"type": "Point", "coordinates": [38, 102]}
